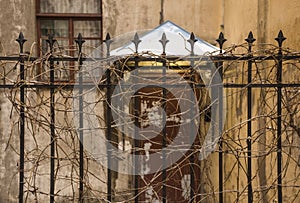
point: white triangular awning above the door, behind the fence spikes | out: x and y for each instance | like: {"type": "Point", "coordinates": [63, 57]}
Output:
{"type": "Point", "coordinates": [177, 45]}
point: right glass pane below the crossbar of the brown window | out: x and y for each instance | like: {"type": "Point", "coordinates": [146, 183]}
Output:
{"type": "Point", "coordinates": [87, 28]}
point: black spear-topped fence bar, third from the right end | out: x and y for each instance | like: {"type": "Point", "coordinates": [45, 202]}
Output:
{"type": "Point", "coordinates": [221, 40]}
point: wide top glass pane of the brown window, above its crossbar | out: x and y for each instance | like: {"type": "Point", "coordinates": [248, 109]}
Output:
{"type": "Point", "coordinates": [70, 6]}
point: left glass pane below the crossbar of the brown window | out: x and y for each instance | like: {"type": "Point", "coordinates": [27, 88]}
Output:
{"type": "Point", "coordinates": [60, 28]}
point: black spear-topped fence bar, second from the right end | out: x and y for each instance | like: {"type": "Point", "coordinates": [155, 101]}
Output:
{"type": "Point", "coordinates": [250, 40]}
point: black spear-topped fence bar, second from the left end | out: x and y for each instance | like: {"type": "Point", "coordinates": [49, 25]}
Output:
{"type": "Point", "coordinates": [51, 42]}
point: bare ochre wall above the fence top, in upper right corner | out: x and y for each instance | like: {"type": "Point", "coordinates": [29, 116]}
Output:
{"type": "Point", "coordinates": [264, 18]}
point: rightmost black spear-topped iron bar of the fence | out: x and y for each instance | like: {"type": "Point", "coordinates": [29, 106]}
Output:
{"type": "Point", "coordinates": [280, 40]}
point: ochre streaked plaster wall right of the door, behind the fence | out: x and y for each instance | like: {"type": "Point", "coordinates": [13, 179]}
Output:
{"type": "Point", "coordinates": [265, 18]}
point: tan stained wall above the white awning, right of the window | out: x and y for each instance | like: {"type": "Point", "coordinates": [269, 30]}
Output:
{"type": "Point", "coordinates": [204, 18]}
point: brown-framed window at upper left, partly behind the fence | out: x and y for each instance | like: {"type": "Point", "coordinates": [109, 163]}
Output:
{"type": "Point", "coordinates": [65, 19]}
